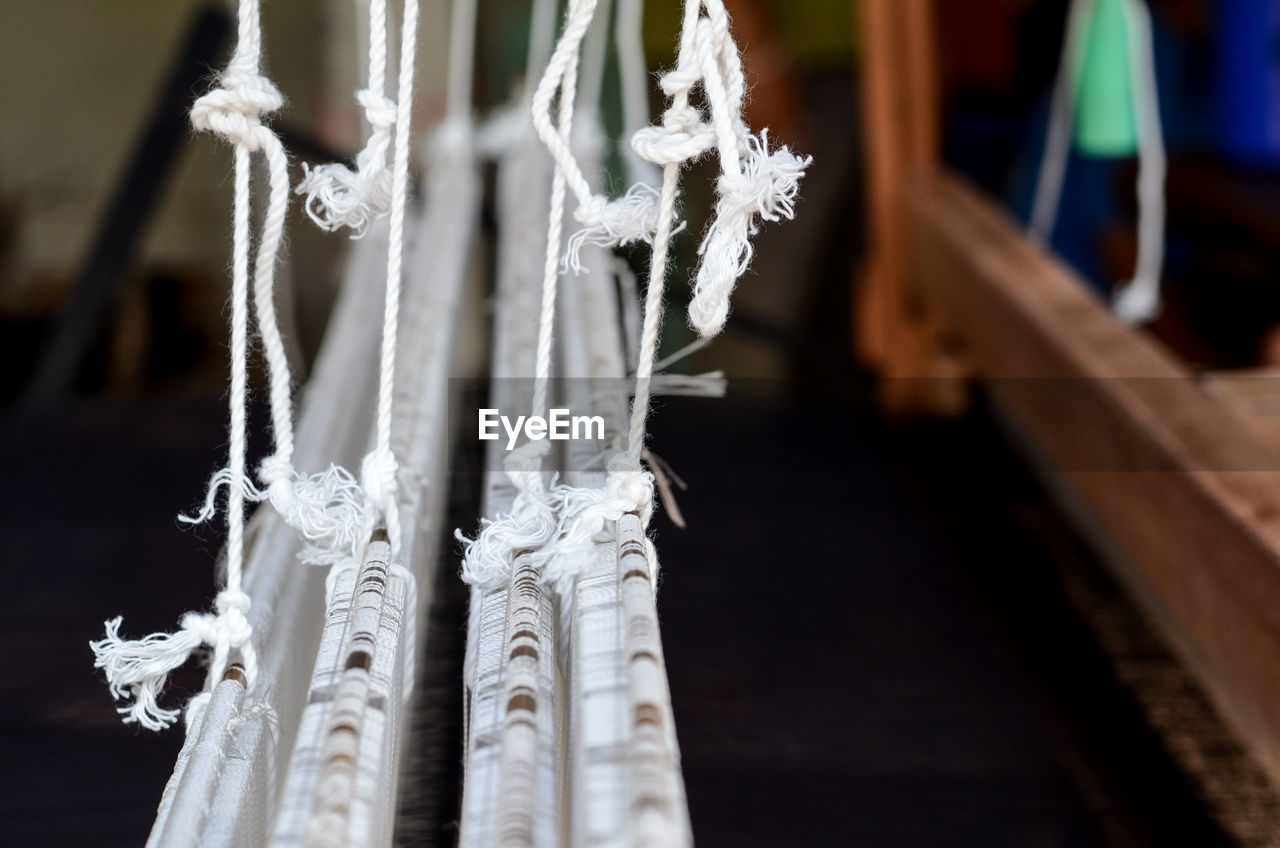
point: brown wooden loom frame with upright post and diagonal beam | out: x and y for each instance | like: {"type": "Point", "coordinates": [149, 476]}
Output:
{"type": "Point", "coordinates": [1174, 477]}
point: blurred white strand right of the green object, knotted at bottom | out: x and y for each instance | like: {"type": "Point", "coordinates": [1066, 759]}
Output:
{"type": "Point", "coordinates": [1139, 300]}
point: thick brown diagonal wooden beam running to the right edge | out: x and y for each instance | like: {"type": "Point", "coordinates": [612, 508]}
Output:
{"type": "Point", "coordinates": [1172, 485]}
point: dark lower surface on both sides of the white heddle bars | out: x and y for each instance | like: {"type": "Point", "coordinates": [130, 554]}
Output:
{"type": "Point", "coordinates": [866, 646]}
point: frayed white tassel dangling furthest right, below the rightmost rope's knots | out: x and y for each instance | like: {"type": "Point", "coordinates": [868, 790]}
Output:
{"type": "Point", "coordinates": [766, 190]}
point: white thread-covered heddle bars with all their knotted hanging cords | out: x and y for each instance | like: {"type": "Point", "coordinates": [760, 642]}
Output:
{"type": "Point", "coordinates": [300, 736]}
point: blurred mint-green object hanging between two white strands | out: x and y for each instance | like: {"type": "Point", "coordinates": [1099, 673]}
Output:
{"type": "Point", "coordinates": [1105, 124]}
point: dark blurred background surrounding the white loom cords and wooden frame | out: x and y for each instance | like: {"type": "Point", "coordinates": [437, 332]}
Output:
{"type": "Point", "coordinates": [880, 630]}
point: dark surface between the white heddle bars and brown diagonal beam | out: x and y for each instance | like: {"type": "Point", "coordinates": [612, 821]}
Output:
{"type": "Point", "coordinates": [867, 649]}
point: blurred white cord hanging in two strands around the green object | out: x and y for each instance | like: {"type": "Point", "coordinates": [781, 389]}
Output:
{"type": "Point", "coordinates": [1139, 300]}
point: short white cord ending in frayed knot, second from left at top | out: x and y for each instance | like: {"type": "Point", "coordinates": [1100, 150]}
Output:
{"type": "Point", "coordinates": [339, 197]}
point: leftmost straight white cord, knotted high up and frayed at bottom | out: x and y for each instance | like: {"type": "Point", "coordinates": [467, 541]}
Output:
{"type": "Point", "coordinates": [139, 669]}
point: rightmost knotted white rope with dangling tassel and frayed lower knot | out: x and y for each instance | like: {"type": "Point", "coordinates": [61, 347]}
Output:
{"type": "Point", "coordinates": [756, 185]}
